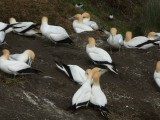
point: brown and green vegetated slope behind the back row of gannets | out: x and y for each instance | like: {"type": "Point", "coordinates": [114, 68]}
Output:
{"type": "Point", "coordinates": [125, 13]}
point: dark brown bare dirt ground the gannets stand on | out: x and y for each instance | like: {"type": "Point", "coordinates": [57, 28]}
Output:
{"type": "Point", "coordinates": [132, 95]}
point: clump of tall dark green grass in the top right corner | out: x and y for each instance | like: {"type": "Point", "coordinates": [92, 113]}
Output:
{"type": "Point", "coordinates": [149, 18]}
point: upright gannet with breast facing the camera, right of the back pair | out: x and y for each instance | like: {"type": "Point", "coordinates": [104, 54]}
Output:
{"type": "Point", "coordinates": [115, 40]}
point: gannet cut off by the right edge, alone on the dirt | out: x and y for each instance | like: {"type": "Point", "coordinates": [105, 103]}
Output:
{"type": "Point", "coordinates": [157, 74]}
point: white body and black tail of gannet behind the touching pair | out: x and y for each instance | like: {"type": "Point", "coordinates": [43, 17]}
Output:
{"type": "Point", "coordinates": [74, 72]}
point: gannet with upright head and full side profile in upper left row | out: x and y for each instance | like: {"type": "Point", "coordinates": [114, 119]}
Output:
{"type": "Point", "coordinates": [56, 34]}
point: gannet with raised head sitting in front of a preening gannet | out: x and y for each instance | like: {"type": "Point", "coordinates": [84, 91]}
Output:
{"type": "Point", "coordinates": [15, 67]}
